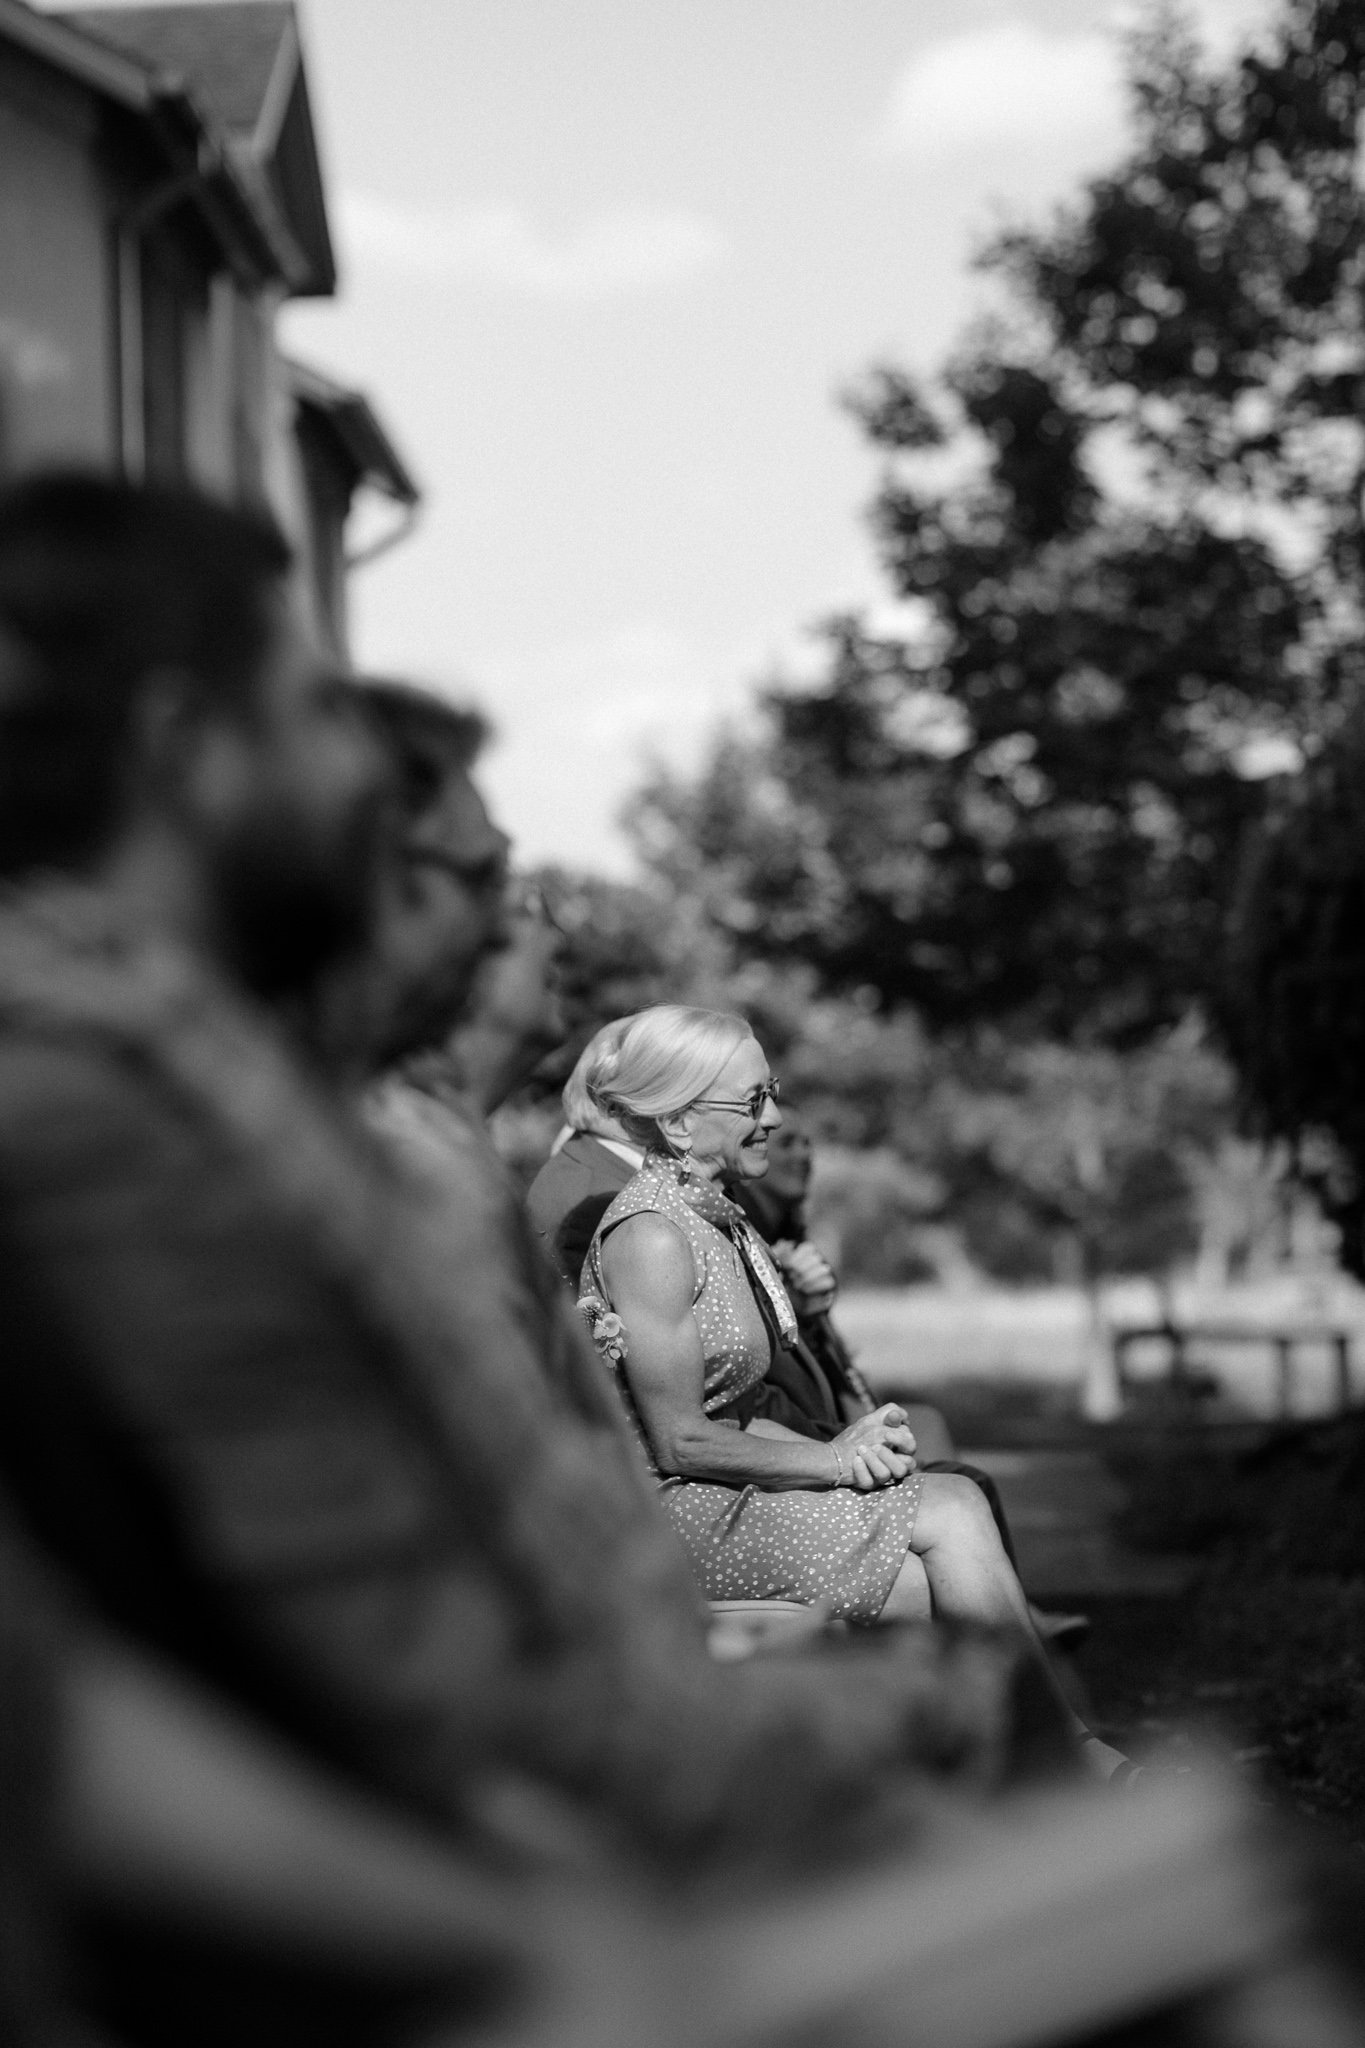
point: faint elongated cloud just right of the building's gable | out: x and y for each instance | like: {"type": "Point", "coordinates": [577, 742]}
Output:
{"type": "Point", "coordinates": [607, 255]}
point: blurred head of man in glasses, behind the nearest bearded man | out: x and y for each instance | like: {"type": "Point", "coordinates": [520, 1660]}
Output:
{"type": "Point", "coordinates": [443, 876]}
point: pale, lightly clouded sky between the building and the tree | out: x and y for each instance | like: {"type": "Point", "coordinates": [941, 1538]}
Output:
{"type": "Point", "coordinates": [607, 265]}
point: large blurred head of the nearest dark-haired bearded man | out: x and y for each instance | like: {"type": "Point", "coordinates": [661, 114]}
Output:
{"type": "Point", "coordinates": [169, 730]}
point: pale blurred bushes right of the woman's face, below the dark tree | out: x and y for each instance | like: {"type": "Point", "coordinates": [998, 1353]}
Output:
{"type": "Point", "coordinates": [1026, 1160]}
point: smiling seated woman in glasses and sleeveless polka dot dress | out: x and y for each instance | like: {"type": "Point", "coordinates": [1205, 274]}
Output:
{"type": "Point", "coordinates": [689, 1306]}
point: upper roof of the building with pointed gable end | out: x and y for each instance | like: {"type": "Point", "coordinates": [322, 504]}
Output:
{"type": "Point", "coordinates": [240, 65]}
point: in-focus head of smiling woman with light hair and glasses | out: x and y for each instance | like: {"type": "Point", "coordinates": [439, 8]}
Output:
{"type": "Point", "coordinates": [695, 1082]}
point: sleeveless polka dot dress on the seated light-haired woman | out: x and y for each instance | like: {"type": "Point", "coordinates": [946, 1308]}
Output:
{"type": "Point", "coordinates": [748, 1543]}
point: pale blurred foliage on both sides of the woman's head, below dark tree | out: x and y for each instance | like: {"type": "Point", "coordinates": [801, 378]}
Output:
{"type": "Point", "coordinates": [942, 1154]}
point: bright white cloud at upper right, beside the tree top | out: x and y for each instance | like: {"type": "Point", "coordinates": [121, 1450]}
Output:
{"type": "Point", "coordinates": [1004, 85]}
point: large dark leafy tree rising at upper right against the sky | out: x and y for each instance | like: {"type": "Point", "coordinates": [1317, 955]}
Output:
{"type": "Point", "coordinates": [1127, 534]}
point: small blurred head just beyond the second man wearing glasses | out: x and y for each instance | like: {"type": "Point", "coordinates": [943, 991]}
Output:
{"type": "Point", "coordinates": [515, 1013]}
